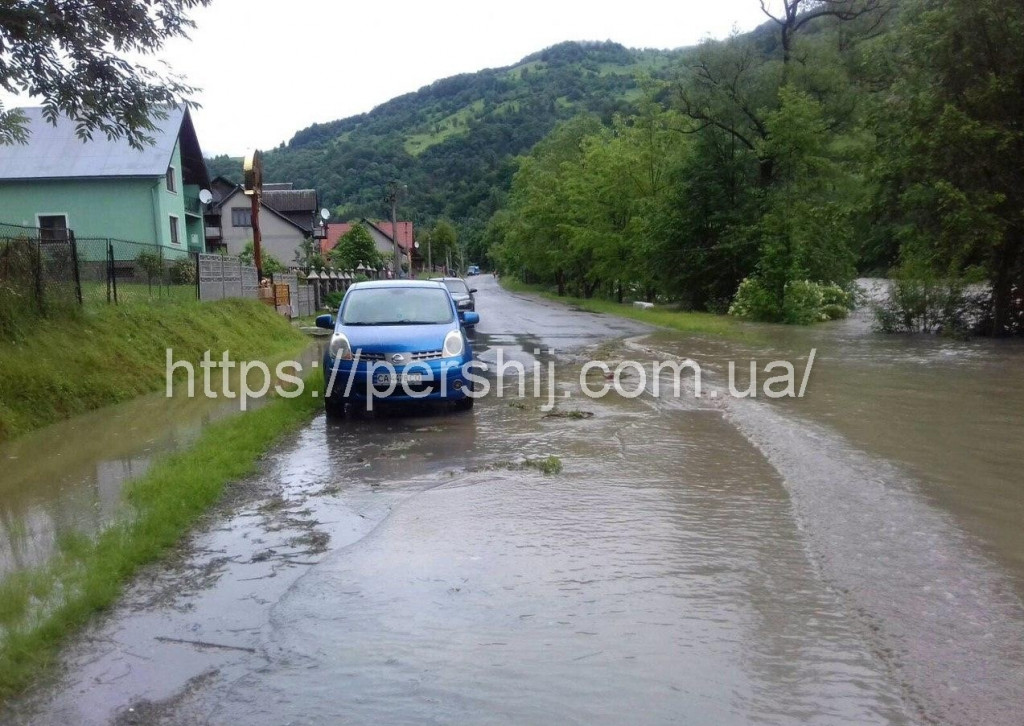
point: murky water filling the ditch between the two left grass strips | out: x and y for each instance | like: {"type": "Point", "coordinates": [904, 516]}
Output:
{"type": "Point", "coordinates": [69, 478]}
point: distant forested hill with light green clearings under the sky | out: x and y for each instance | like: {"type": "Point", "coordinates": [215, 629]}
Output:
{"type": "Point", "coordinates": [453, 143]}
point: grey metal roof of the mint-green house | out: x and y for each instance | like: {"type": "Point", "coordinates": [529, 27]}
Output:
{"type": "Point", "coordinates": [56, 152]}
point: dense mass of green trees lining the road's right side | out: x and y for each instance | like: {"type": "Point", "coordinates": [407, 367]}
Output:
{"type": "Point", "coordinates": [843, 138]}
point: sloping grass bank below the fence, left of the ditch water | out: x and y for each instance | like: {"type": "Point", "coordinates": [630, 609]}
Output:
{"type": "Point", "coordinates": [105, 355]}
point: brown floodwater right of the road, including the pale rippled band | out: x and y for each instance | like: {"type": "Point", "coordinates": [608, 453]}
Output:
{"type": "Point", "coordinates": [903, 463]}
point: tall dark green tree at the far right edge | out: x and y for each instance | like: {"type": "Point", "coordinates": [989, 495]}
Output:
{"type": "Point", "coordinates": [960, 153]}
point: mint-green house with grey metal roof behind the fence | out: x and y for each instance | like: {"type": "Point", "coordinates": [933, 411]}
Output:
{"type": "Point", "coordinates": [105, 189]}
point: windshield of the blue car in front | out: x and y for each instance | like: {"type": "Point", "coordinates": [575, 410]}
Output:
{"type": "Point", "coordinates": [397, 307]}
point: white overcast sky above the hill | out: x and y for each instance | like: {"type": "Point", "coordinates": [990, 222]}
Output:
{"type": "Point", "coordinates": [269, 69]}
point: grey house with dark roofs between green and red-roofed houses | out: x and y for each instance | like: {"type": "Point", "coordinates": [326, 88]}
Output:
{"type": "Point", "coordinates": [288, 218]}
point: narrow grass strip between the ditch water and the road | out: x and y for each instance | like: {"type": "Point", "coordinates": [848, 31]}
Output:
{"type": "Point", "coordinates": [40, 609]}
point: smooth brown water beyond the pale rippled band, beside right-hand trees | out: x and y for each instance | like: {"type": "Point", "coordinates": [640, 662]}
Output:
{"type": "Point", "coordinates": [949, 414]}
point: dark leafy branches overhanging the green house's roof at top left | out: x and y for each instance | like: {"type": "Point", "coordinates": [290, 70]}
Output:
{"type": "Point", "coordinates": [75, 56]}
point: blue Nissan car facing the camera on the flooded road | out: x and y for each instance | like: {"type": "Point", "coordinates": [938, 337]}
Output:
{"type": "Point", "coordinates": [398, 340]}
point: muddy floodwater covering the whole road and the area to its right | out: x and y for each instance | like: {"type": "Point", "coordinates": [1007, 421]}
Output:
{"type": "Point", "coordinates": [855, 558]}
